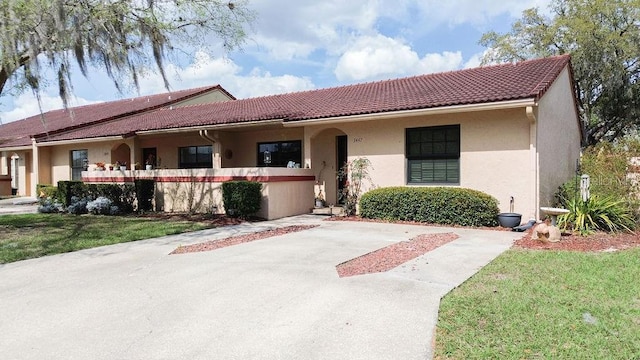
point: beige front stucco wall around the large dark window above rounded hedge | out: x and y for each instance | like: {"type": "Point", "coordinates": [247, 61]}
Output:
{"type": "Point", "coordinates": [494, 154]}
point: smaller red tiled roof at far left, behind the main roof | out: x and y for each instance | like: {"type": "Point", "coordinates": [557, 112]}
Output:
{"type": "Point", "coordinates": [18, 133]}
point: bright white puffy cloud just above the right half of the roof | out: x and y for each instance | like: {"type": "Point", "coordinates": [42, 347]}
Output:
{"type": "Point", "coordinates": [380, 57]}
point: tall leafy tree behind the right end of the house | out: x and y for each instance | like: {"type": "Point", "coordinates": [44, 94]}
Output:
{"type": "Point", "coordinates": [603, 38]}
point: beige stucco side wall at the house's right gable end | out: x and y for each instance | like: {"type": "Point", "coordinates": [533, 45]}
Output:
{"type": "Point", "coordinates": [558, 137]}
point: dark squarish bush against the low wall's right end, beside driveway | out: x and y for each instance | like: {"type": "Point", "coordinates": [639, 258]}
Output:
{"type": "Point", "coordinates": [241, 198]}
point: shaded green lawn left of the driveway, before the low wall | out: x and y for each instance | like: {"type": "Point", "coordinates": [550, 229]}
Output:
{"type": "Point", "coordinates": [35, 235]}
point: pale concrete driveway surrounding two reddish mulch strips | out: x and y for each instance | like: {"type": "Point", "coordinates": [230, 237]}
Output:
{"type": "Point", "coordinates": [276, 298]}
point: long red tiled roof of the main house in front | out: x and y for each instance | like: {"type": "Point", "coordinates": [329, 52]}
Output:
{"type": "Point", "coordinates": [524, 80]}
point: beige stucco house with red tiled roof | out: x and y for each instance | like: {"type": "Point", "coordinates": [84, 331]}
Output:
{"type": "Point", "coordinates": [510, 130]}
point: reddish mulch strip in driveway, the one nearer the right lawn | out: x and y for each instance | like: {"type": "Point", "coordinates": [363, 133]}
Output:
{"type": "Point", "coordinates": [391, 256]}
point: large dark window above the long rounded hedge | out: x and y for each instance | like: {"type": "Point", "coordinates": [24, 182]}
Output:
{"type": "Point", "coordinates": [433, 154]}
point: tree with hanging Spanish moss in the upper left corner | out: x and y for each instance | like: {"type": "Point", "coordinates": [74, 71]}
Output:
{"type": "Point", "coordinates": [126, 38]}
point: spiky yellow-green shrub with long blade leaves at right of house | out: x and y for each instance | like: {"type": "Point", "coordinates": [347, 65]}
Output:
{"type": "Point", "coordinates": [597, 213]}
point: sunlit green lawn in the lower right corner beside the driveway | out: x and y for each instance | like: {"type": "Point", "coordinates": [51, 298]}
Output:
{"type": "Point", "coordinates": [531, 304]}
